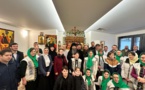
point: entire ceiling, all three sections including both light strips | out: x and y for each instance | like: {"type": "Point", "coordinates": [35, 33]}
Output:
{"type": "Point", "coordinates": [128, 15]}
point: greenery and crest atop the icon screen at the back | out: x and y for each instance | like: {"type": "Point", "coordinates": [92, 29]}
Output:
{"type": "Point", "coordinates": [75, 32]}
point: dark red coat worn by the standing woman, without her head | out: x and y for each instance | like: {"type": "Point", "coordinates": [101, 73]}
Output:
{"type": "Point", "coordinates": [59, 62]}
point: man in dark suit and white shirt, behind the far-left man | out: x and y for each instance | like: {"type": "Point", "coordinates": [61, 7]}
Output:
{"type": "Point", "coordinates": [17, 55]}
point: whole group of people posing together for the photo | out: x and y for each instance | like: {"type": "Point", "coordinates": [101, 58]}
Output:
{"type": "Point", "coordinates": [79, 68]}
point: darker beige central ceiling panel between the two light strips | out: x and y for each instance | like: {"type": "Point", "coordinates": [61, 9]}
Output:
{"type": "Point", "coordinates": [82, 13]}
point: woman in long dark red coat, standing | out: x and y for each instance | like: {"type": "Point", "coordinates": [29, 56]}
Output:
{"type": "Point", "coordinates": [59, 62]}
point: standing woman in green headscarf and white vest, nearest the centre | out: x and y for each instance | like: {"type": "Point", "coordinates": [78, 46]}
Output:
{"type": "Point", "coordinates": [91, 63]}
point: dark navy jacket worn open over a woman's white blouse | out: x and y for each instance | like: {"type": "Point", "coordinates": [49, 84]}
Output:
{"type": "Point", "coordinates": [42, 67]}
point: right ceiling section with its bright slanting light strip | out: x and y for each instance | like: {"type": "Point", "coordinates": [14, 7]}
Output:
{"type": "Point", "coordinates": [128, 15]}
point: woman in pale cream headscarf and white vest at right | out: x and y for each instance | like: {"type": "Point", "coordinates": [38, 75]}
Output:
{"type": "Point", "coordinates": [127, 68]}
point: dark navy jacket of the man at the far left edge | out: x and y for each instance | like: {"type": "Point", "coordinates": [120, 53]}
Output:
{"type": "Point", "coordinates": [8, 78]}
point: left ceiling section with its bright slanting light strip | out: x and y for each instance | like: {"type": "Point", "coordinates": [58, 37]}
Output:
{"type": "Point", "coordinates": [31, 14]}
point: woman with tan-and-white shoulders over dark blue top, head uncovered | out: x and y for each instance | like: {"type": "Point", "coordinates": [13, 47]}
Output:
{"type": "Point", "coordinates": [112, 64]}
